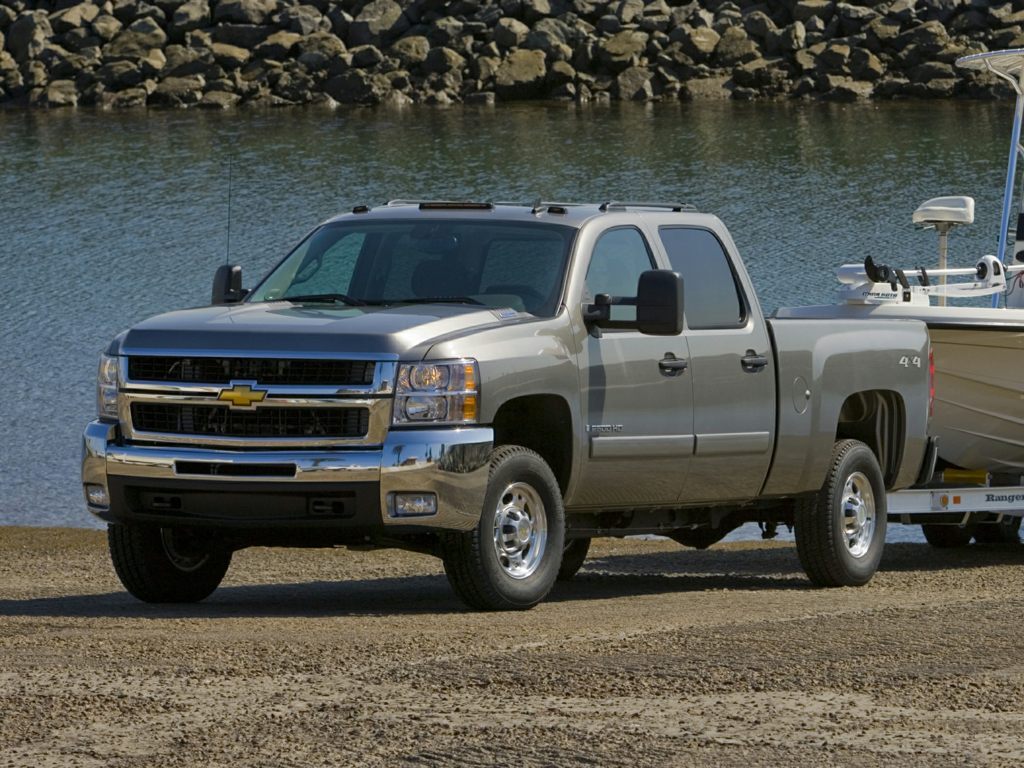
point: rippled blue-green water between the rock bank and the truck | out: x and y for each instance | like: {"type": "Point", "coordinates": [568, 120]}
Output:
{"type": "Point", "coordinates": [108, 219]}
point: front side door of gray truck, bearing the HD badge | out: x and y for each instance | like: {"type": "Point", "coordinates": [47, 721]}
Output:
{"type": "Point", "coordinates": [636, 393]}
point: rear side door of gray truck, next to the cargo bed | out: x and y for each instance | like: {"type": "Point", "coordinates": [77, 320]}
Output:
{"type": "Point", "coordinates": [732, 370]}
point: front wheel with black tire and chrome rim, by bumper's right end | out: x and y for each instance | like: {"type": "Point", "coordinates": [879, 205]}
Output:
{"type": "Point", "coordinates": [511, 560]}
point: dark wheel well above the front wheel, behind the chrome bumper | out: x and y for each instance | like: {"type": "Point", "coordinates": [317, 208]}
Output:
{"type": "Point", "coordinates": [542, 423]}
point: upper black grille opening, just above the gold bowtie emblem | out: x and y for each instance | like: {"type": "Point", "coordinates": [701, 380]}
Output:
{"type": "Point", "coordinates": [265, 371]}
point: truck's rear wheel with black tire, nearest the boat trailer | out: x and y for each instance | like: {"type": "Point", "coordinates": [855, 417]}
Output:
{"type": "Point", "coordinates": [841, 531]}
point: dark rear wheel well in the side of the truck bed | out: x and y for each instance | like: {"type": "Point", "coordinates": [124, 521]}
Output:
{"type": "Point", "coordinates": [878, 419]}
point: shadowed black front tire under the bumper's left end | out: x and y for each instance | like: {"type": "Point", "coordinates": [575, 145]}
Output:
{"type": "Point", "coordinates": [166, 566]}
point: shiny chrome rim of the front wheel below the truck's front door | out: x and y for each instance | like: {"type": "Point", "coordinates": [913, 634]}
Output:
{"type": "Point", "coordinates": [521, 532]}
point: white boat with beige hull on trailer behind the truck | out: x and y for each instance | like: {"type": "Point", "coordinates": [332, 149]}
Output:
{"type": "Point", "coordinates": [978, 351]}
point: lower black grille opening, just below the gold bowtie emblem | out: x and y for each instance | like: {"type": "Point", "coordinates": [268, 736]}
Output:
{"type": "Point", "coordinates": [269, 422]}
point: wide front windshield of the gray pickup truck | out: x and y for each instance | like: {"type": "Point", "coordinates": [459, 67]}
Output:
{"type": "Point", "coordinates": [498, 265]}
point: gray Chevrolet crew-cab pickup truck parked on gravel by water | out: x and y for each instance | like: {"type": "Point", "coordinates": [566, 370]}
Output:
{"type": "Point", "coordinates": [496, 386]}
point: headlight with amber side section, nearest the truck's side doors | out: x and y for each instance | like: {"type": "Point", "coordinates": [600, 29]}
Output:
{"type": "Point", "coordinates": [438, 394]}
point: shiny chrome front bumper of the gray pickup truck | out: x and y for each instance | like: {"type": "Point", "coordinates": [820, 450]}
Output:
{"type": "Point", "coordinates": [451, 463]}
